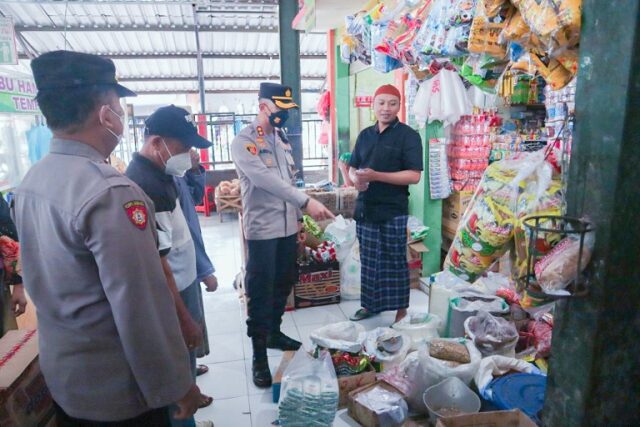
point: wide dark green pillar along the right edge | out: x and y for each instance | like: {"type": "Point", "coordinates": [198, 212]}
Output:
{"type": "Point", "coordinates": [594, 371]}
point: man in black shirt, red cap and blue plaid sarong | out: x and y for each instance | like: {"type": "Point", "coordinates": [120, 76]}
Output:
{"type": "Point", "coordinates": [386, 159]}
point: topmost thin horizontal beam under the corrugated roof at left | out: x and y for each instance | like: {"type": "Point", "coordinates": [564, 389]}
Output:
{"type": "Point", "coordinates": [204, 28]}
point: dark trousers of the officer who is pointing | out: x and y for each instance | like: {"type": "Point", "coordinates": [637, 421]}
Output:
{"type": "Point", "coordinates": [270, 274]}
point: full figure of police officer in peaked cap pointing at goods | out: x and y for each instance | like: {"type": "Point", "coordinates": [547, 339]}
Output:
{"type": "Point", "coordinates": [272, 211]}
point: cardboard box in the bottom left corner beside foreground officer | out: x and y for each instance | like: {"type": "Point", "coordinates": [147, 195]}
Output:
{"type": "Point", "coordinates": [24, 397]}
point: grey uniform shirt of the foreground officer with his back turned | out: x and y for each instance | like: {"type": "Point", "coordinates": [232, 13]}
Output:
{"type": "Point", "coordinates": [110, 341]}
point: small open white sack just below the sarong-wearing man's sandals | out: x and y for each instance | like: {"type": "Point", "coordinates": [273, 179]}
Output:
{"type": "Point", "coordinates": [387, 346]}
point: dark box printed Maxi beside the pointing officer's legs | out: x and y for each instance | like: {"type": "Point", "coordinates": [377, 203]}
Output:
{"type": "Point", "coordinates": [318, 284]}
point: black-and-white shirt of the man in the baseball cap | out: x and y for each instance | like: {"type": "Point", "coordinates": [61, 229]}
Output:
{"type": "Point", "coordinates": [174, 237]}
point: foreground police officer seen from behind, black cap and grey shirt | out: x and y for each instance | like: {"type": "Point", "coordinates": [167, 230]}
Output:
{"type": "Point", "coordinates": [111, 349]}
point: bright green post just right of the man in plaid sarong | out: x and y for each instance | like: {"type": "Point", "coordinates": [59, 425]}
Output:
{"type": "Point", "coordinates": [425, 209]}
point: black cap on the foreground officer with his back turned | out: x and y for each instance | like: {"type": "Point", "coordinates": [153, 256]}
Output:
{"type": "Point", "coordinates": [63, 69]}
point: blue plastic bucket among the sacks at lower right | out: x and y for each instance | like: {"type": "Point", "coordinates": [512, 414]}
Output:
{"type": "Point", "coordinates": [450, 397]}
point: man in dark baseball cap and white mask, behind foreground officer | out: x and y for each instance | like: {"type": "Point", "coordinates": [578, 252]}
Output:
{"type": "Point", "coordinates": [170, 134]}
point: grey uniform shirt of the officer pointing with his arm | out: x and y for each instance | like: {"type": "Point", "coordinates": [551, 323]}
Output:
{"type": "Point", "coordinates": [270, 203]}
